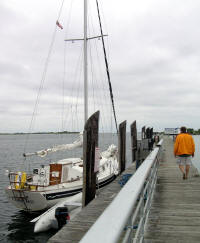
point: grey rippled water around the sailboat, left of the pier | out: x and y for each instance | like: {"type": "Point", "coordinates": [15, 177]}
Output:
{"type": "Point", "coordinates": [15, 226]}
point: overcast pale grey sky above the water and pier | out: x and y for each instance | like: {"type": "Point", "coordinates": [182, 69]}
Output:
{"type": "Point", "coordinates": [154, 60]}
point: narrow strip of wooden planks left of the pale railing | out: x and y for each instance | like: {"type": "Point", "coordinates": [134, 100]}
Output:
{"type": "Point", "coordinates": [77, 227]}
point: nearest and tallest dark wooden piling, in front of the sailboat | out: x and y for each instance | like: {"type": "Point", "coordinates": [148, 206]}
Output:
{"type": "Point", "coordinates": [90, 142]}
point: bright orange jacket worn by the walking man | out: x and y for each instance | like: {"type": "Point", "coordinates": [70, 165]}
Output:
{"type": "Point", "coordinates": [184, 144]}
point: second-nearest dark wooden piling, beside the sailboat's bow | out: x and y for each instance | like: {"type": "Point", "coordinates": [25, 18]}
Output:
{"type": "Point", "coordinates": [122, 146]}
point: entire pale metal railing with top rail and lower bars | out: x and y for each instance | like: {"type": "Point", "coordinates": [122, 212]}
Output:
{"type": "Point", "coordinates": [124, 220]}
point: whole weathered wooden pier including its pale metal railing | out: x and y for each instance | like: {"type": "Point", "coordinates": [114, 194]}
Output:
{"type": "Point", "coordinates": [155, 206]}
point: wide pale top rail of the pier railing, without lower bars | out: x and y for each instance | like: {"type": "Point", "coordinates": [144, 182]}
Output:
{"type": "Point", "coordinates": [111, 223]}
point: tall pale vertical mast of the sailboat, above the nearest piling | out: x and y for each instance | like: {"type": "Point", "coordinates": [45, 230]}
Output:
{"type": "Point", "coordinates": [85, 64]}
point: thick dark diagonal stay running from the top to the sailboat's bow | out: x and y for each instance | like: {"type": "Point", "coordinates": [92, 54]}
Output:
{"type": "Point", "coordinates": [107, 68]}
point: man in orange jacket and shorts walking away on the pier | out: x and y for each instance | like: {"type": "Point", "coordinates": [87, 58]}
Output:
{"type": "Point", "coordinates": [184, 148]}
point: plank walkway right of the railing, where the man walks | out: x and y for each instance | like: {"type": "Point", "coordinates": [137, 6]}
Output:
{"type": "Point", "coordinates": [175, 213]}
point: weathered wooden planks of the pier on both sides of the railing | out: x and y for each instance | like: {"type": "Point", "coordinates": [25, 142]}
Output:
{"type": "Point", "coordinates": [174, 215]}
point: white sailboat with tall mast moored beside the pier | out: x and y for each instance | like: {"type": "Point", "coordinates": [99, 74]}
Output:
{"type": "Point", "coordinates": [60, 180]}
